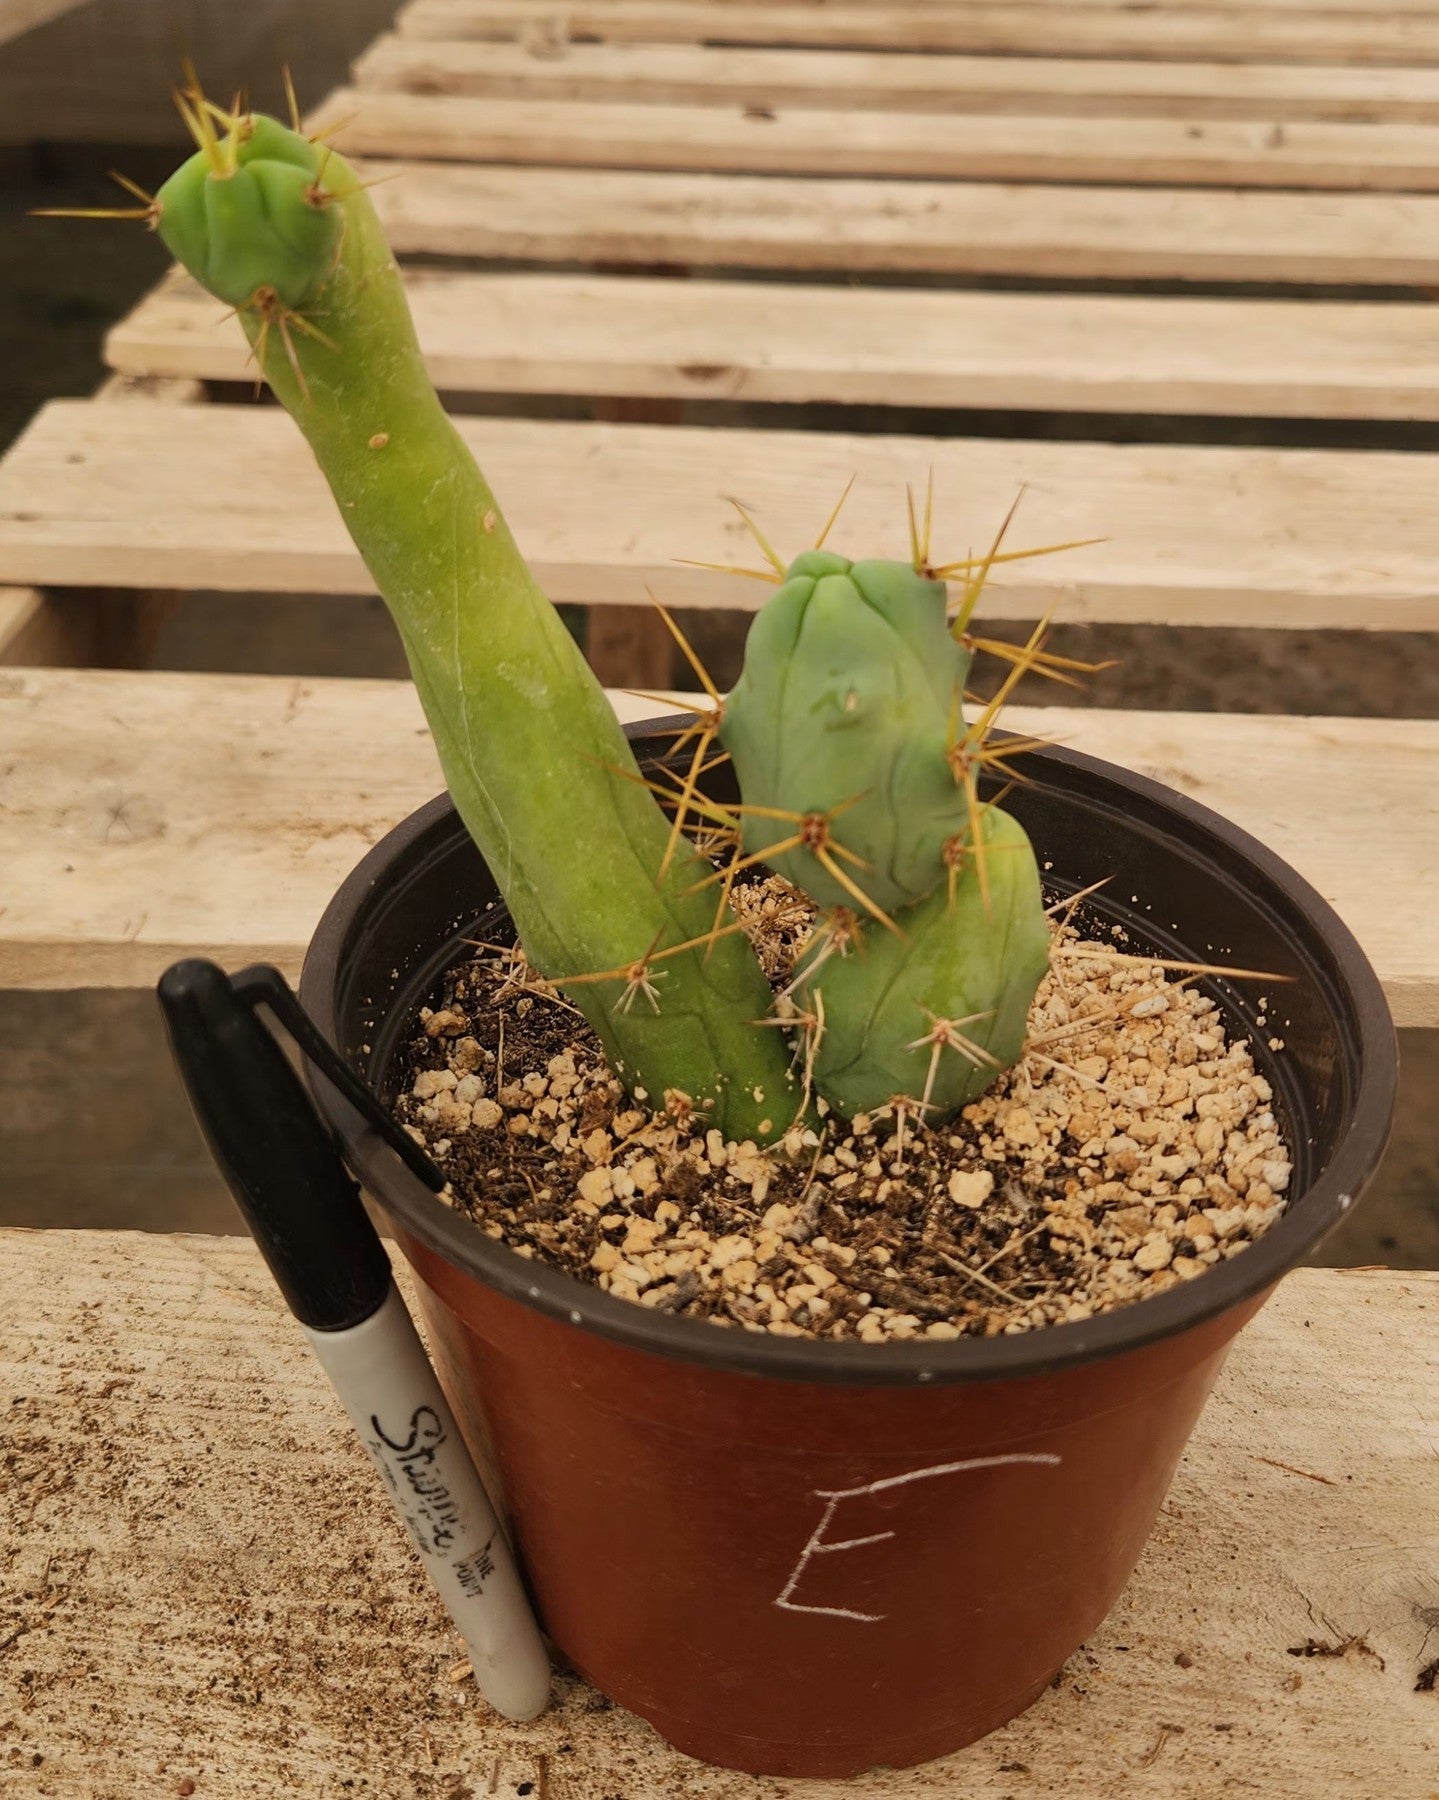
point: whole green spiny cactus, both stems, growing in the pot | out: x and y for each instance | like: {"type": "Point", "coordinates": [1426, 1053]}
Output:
{"type": "Point", "coordinates": [856, 769]}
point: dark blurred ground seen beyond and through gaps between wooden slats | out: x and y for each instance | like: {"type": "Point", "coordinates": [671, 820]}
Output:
{"type": "Point", "coordinates": [93, 1128]}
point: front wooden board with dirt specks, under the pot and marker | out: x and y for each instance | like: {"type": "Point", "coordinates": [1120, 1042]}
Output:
{"type": "Point", "coordinates": [203, 1583]}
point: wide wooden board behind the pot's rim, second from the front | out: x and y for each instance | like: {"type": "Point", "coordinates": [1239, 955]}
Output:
{"type": "Point", "coordinates": [154, 816]}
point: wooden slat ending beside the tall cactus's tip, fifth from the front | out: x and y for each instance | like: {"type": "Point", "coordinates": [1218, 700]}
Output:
{"type": "Point", "coordinates": [847, 226]}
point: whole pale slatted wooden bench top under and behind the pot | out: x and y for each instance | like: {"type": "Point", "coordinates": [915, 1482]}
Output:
{"type": "Point", "coordinates": [853, 195]}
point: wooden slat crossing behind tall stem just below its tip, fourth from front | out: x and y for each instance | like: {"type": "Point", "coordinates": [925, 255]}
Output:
{"type": "Point", "coordinates": [865, 346]}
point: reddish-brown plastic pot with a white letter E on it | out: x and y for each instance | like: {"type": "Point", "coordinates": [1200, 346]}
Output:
{"type": "Point", "coordinates": [806, 1558]}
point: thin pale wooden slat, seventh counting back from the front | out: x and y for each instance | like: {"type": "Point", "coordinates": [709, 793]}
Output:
{"type": "Point", "coordinates": [874, 80]}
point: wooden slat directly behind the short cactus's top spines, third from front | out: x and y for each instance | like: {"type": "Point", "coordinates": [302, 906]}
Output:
{"type": "Point", "coordinates": [1310, 537]}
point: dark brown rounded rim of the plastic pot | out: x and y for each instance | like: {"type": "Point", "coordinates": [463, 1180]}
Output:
{"type": "Point", "coordinates": [426, 1218]}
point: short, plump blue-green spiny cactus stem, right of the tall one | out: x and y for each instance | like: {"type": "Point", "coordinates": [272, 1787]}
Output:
{"type": "Point", "coordinates": [847, 730]}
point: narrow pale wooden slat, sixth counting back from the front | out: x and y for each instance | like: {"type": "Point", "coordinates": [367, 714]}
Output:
{"type": "Point", "coordinates": [1152, 152]}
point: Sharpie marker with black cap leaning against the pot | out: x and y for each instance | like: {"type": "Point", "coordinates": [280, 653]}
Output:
{"type": "Point", "coordinates": [307, 1218]}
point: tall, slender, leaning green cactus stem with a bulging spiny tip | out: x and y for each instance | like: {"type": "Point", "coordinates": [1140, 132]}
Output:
{"type": "Point", "coordinates": [532, 751]}
